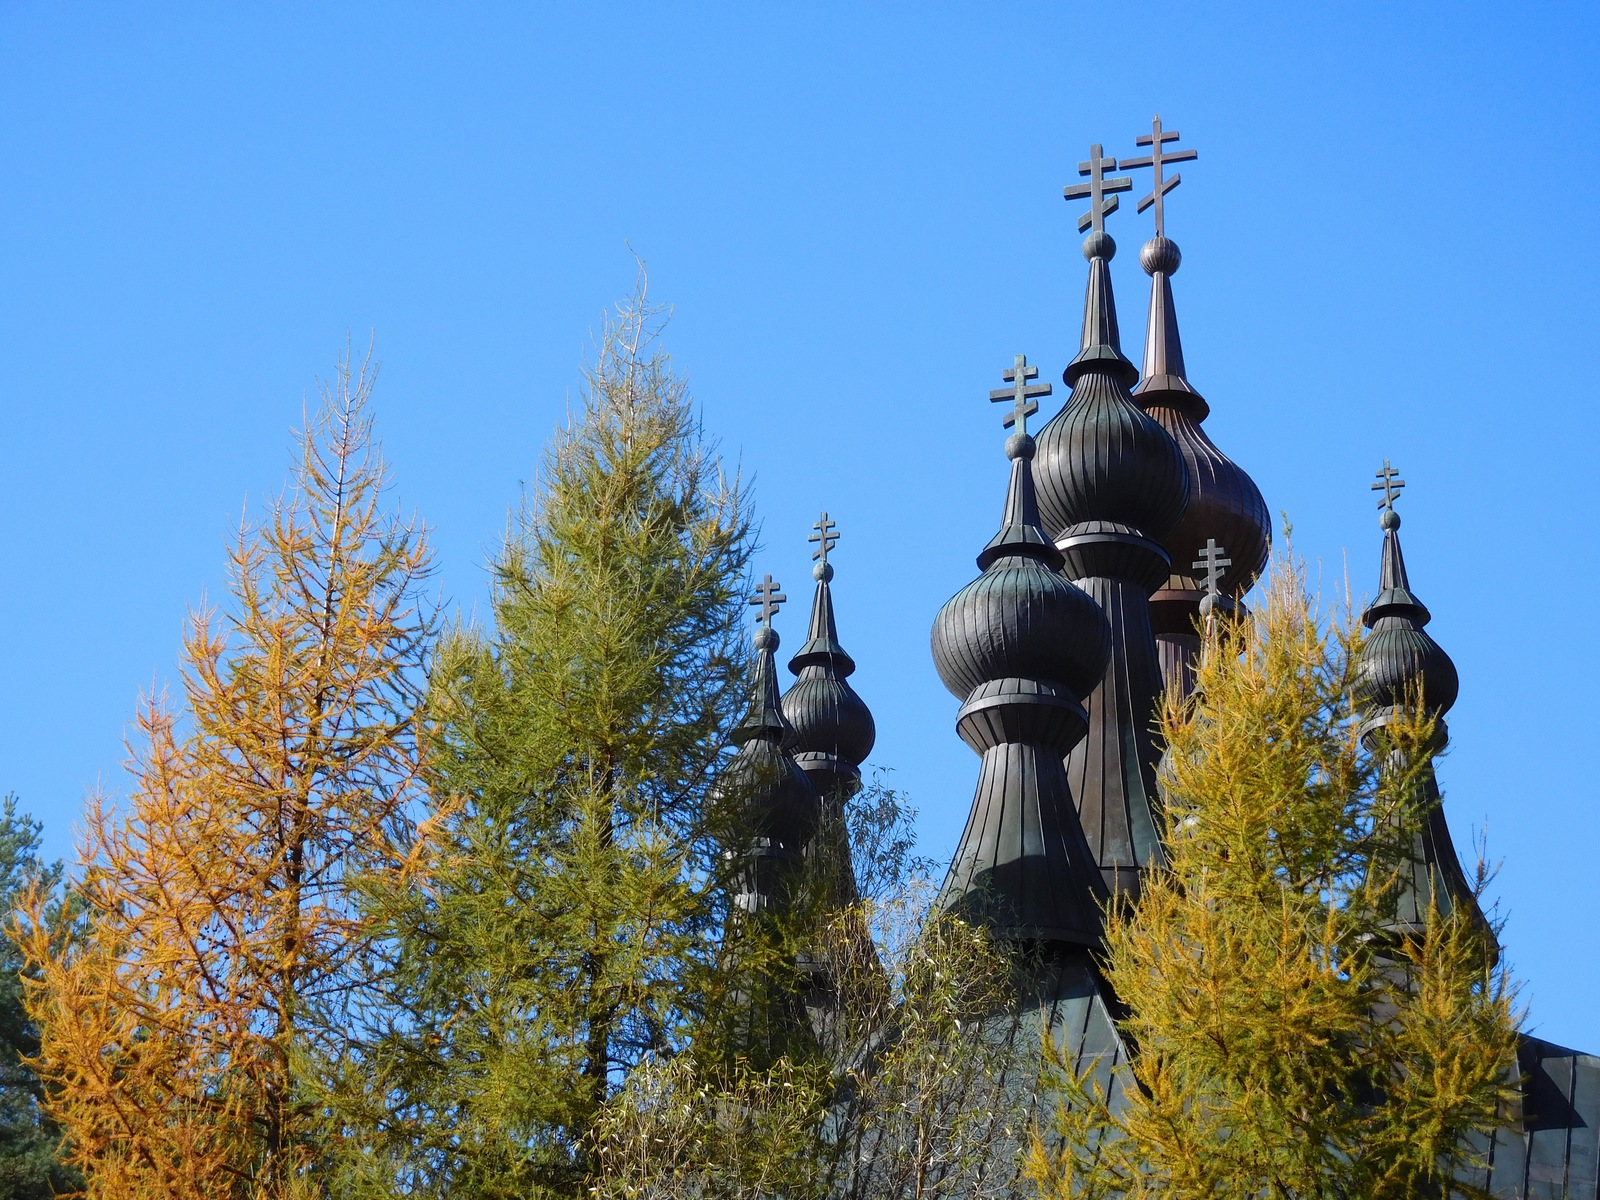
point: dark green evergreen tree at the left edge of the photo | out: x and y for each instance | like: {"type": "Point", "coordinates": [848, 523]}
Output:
{"type": "Point", "coordinates": [30, 1140]}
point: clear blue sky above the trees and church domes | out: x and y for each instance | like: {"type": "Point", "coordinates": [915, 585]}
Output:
{"type": "Point", "coordinates": [1390, 250]}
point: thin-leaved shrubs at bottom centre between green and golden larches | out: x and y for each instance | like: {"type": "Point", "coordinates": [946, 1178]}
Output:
{"type": "Point", "coordinates": [911, 1082]}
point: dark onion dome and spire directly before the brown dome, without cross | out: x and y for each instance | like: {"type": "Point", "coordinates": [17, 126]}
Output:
{"type": "Point", "coordinates": [1102, 458]}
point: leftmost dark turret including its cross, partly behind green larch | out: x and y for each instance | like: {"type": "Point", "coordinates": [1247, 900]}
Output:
{"type": "Point", "coordinates": [778, 799]}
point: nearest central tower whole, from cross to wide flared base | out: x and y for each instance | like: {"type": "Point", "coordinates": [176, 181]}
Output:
{"type": "Point", "coordinates": [1020, 647]}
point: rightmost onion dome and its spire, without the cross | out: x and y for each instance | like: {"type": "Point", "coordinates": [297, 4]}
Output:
{"type": "Point", "coordinates": [1398, 655]}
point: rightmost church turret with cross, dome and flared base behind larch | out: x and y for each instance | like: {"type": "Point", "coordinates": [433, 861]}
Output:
{"type": "Point", "coordinates": [1401, 665]}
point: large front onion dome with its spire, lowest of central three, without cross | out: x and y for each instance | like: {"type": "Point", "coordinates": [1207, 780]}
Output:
{"type": "Point", "coordinates": [1022, 618]}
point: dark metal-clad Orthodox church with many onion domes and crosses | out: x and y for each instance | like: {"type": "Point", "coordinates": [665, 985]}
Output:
{"type": "Point", "coordinates": [1122, 526]}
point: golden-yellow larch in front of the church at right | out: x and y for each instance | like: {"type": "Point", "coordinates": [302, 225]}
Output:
{"type": "Point", "coordinates": [1282, 1041]}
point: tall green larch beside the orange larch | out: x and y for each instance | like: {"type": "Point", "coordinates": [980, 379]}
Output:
{"type": "Point", "coordinates": [567, 910]}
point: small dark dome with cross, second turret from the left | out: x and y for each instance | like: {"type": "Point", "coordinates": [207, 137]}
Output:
{"type": "Point", "coordinates": [833, 727]}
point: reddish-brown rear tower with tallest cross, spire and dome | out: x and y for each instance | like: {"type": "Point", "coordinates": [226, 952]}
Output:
{"type": "Point", "coordinates": [1225, 503]}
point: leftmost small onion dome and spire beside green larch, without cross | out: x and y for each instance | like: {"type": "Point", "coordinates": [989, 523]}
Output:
{"type": "Point", "coordinates": [780, 801]}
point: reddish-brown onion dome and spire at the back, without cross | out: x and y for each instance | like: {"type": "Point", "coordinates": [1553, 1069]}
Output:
{"type": "Point", "coordinates": [1225, 503]}
